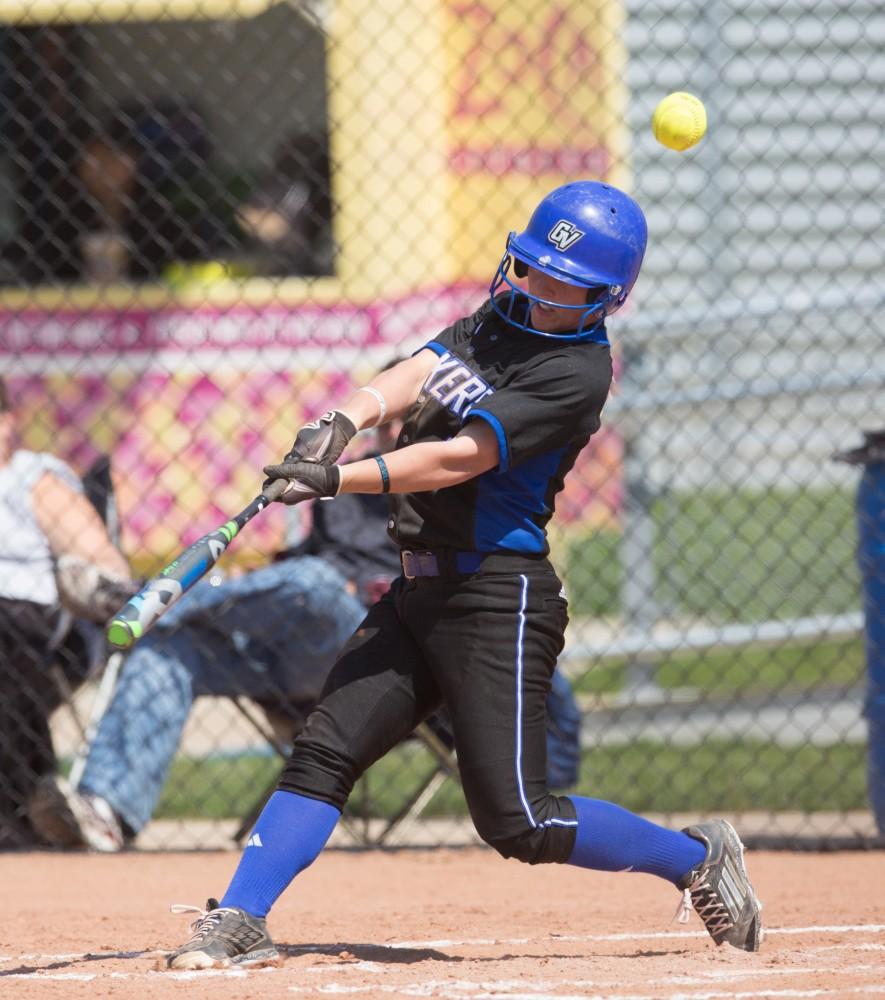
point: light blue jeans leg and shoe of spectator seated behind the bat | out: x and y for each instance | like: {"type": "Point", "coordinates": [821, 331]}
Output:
{"type": "Point", "coordinates": [271, 635]}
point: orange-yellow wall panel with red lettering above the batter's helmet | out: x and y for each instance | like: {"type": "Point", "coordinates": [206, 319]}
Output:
{"type": "Point", "coordinates": [536, 99]}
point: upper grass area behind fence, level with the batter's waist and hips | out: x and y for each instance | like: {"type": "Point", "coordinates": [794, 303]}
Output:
{"type": "Point", "coordinates": [731, 556]}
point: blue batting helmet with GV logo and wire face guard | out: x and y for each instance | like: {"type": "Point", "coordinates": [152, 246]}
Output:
{"type": "Point", "coordinates": [586, 233]}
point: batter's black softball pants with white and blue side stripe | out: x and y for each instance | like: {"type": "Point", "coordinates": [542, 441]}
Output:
{"type": "Point", "coordinates": [485, 645]}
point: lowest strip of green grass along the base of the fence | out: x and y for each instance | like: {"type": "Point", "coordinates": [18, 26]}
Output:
{"type": "Point", "coordinates": [643, 776]}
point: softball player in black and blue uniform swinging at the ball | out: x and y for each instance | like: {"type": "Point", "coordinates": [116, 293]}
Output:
{"type": "Point", "coordinates": [496, 409]}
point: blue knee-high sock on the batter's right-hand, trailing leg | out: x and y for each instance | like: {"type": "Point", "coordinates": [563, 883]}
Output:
{"type": "Point", "coordinates": [611, 839]}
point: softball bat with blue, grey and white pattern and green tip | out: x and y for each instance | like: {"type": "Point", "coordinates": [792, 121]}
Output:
{"type": "Point", "coordinates": [136, 617]}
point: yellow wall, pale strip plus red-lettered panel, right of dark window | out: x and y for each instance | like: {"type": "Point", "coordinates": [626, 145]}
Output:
{"type": "Point", "coordinates": [454, 118]}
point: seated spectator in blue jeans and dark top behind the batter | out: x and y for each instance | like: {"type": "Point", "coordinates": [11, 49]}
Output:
{"type": "Point", "coordinates": [272, 635]}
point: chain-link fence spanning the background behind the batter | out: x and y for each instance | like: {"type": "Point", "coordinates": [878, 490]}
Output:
{"type": "Point", "coordinates": [217, 215]}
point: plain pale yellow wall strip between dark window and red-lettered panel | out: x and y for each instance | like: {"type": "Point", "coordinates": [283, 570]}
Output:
{"type": "Point", "coordinates": [387, 106]}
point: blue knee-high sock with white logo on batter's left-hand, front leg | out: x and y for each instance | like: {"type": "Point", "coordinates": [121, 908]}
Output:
{"type": "Point", "coordinates": [291, 831]}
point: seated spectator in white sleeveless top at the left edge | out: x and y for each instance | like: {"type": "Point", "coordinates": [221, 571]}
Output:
{"type": "Point", "coordinates": [55, 552]}
